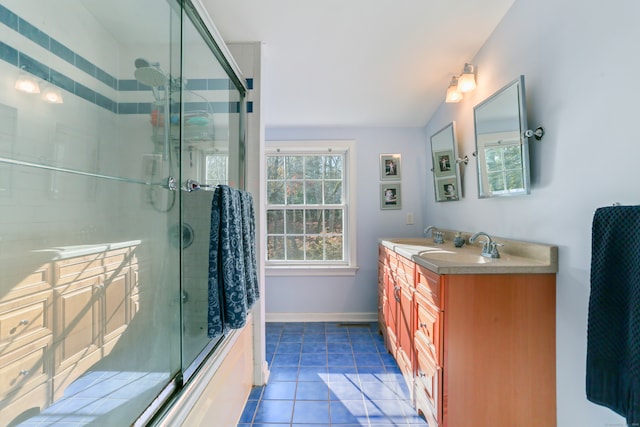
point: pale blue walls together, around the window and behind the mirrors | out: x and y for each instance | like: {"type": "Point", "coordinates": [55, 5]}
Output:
{"type": "Point", "coordinates": [576, 60]}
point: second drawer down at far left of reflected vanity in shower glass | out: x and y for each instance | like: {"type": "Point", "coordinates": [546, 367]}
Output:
{"type": "Point", "coordinates": [25, 319]}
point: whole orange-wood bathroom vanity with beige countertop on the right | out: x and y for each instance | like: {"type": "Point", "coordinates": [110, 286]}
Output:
{"type": "Point", "coordinates": [474, 337]}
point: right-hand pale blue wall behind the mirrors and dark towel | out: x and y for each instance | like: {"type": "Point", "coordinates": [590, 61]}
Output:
{"type": "Point", "coordinates": [577, 61]}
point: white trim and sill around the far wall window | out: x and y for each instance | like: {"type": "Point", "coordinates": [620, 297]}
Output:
{"type": "Point", "coordinates": [347, 267]}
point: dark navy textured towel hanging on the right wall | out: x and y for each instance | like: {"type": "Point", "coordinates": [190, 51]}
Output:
{"type": "Point", "coordinates": [613, 329]}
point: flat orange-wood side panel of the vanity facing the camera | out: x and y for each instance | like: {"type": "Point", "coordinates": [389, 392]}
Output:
{"type": "Point", "coordinates": [499, 350]}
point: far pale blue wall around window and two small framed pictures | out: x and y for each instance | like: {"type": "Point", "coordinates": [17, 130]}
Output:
{"type": "Point", "coordinates": [345, 298]}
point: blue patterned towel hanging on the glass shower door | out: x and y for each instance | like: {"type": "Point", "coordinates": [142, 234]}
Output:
{"type": "Point", "coordinates": [233, 279]}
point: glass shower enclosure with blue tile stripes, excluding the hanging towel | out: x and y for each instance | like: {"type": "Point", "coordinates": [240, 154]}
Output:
{"type": "Point", "coordinates": [112, 115]}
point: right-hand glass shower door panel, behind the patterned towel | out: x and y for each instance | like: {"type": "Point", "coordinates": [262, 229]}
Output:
{"type": "Point", "coordinates": [211, 155]}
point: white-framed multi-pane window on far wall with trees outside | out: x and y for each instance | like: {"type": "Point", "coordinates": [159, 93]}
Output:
{"type": "Point", "coordinates": [309, 211]}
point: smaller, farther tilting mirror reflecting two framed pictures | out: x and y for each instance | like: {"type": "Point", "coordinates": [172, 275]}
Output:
{"type": "Point", "coordinates": [446, 174]}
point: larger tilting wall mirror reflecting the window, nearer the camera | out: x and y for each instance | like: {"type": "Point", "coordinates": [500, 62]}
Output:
{"type": "Point", "coordinates": [502, 152]}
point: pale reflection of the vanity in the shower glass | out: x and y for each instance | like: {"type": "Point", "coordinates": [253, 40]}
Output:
{"type": "Point", "coordinates": [94, 291]}
